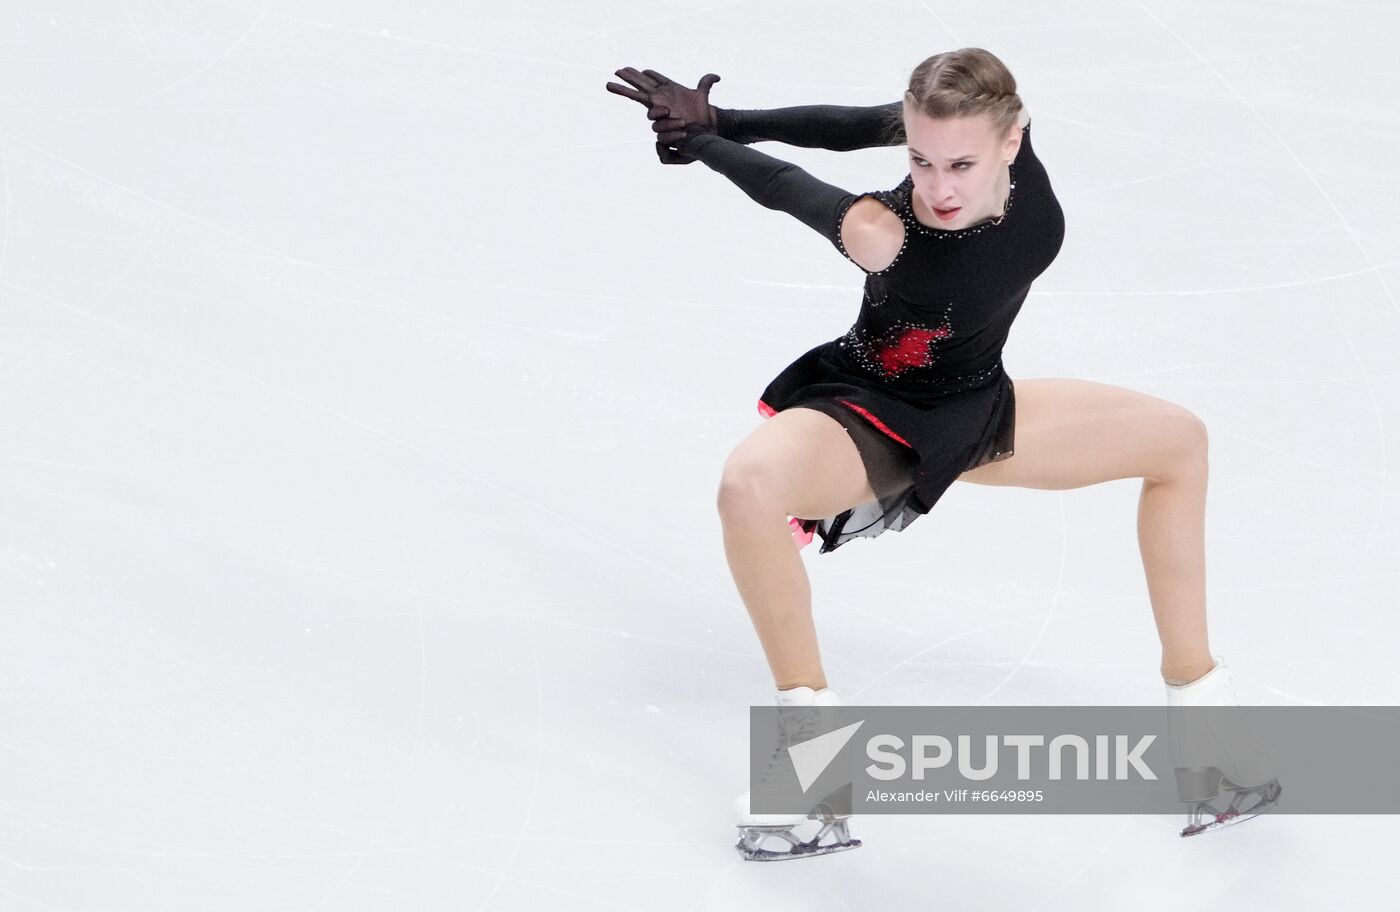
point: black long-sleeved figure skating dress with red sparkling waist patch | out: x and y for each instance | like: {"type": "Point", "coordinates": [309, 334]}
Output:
{"type": "Point", "coordinates": [918, 380]}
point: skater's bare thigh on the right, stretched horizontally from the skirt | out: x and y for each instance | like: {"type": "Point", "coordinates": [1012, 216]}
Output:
{"type": "Point", "coordinates": [1072, 434]}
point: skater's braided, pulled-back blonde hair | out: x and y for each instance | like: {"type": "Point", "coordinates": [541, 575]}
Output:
{"type": "Point", "coordinates": [962, 83]}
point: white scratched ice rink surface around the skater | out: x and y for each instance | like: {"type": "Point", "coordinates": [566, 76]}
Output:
{"type": "Point", "coordinates": [367, 383]}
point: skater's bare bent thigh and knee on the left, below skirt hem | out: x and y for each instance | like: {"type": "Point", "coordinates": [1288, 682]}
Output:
{"type": "Point", "coordinates": [800, 462]}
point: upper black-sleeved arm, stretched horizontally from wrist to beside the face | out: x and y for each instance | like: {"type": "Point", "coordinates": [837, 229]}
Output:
{"type": "Point", "coordinates": [839, 128]}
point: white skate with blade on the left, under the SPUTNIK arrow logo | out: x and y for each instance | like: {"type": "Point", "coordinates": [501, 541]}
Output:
{"type": "Point", "coordinates": [757, 829]}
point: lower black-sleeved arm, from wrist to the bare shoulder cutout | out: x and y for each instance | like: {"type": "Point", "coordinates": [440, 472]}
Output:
{"type": "Point", "coordinates": [776, 184]}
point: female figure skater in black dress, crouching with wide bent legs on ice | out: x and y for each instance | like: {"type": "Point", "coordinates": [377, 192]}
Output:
{"type": "Point", "coordinates": [866, 432]}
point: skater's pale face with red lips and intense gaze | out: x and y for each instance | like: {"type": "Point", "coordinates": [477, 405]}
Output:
{"type": "Point", "coordinates": [958, 163]}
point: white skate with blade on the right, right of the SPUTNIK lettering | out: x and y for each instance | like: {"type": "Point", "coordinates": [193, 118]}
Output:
{"type": "Point", "coordinates": [1213, 754]}
